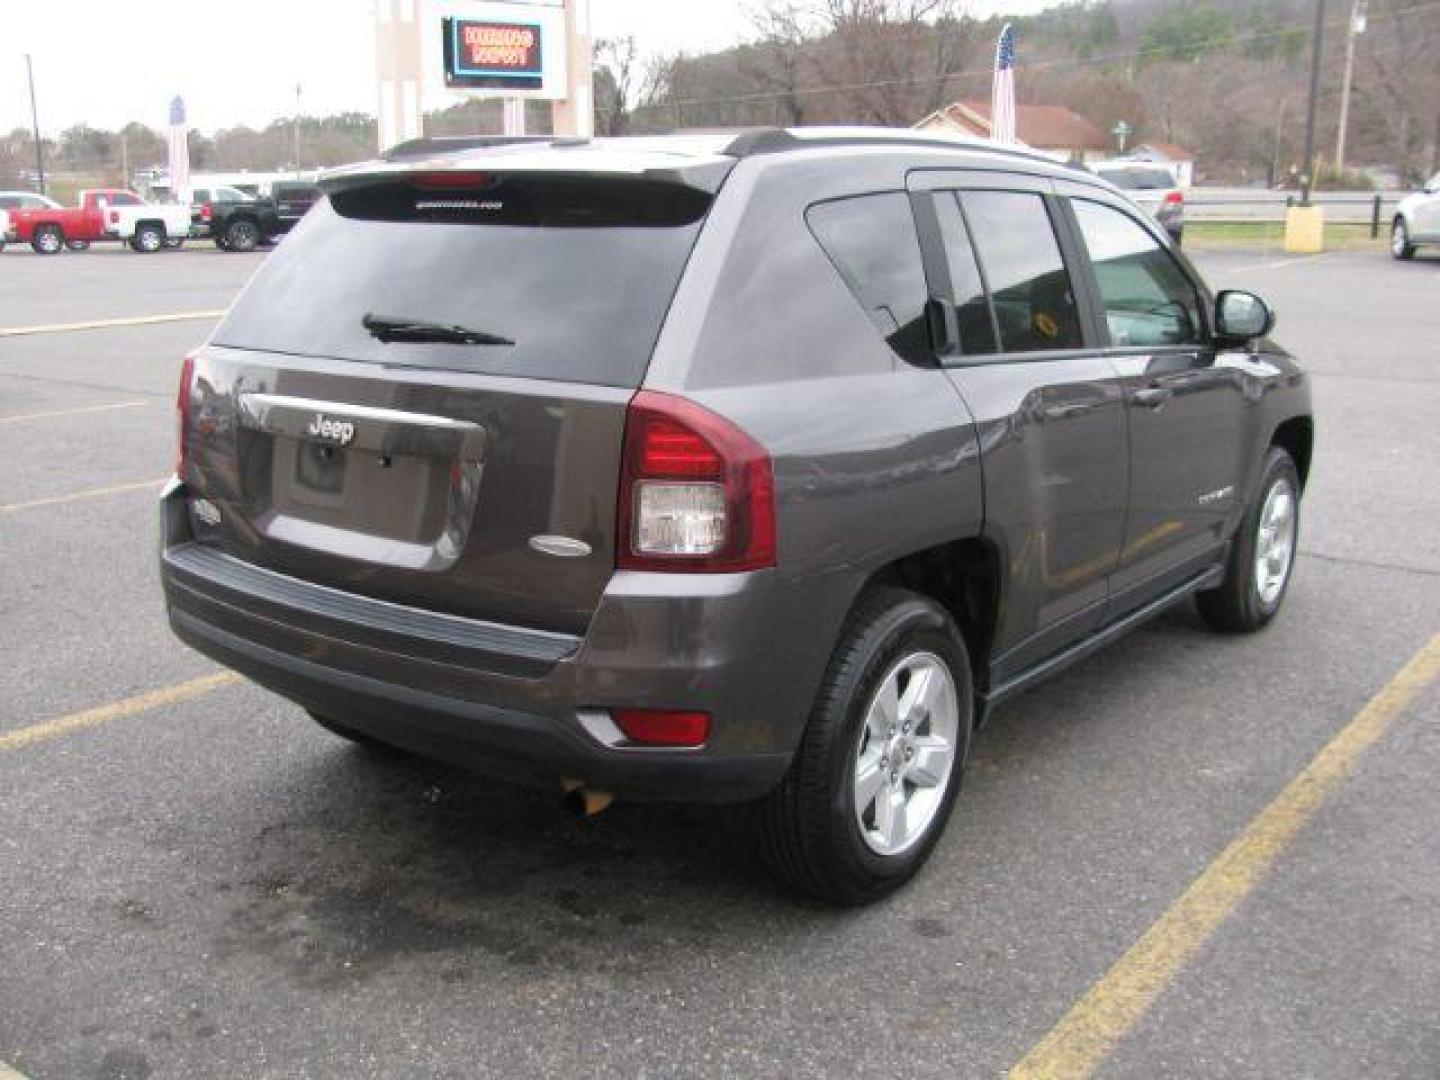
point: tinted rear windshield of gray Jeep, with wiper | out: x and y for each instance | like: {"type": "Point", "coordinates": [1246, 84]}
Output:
{"type": "Point", "coordinates": [577, 273]}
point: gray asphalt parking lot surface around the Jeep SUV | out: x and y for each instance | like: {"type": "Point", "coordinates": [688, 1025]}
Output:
{"type": "Point", "coordinates": [204, 883]}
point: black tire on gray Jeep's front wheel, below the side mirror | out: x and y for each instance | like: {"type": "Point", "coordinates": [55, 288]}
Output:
{"type": "Point", "coordinates": [1238, 606]}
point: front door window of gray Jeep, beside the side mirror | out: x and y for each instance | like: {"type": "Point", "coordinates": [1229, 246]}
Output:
{"type": "Point", "coordinates": [1147, 299]}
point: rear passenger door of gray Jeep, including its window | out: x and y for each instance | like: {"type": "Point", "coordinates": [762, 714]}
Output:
{"type": "Point", "coordinates": [1048, 408]}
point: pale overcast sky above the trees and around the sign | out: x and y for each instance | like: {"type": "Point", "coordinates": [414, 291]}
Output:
{"type": "Point", "coordinates": [240, 61]}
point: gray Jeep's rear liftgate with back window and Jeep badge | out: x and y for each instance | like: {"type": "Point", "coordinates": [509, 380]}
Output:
{"type": "Point", "coordinates": [423, 466]}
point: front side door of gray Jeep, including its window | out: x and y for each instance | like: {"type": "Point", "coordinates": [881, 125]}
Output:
{"type": "Point", "coordinates": [1187, 411]}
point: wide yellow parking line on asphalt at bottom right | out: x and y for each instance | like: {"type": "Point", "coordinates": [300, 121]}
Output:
{"type": "Point", "coordinates": [1095, 1025]}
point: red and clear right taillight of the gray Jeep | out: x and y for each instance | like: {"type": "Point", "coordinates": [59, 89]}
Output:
{"type": "Point", "coordinates": [696, 492]}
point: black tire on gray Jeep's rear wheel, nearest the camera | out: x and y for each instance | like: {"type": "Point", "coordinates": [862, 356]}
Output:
{"type": "Point", "coordinates": [810, 834]}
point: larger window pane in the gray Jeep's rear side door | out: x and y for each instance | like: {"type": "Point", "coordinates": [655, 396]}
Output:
{"type": "Point", "coordinates": [1030, 289]}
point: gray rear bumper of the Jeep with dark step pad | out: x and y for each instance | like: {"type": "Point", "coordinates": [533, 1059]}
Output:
{"type": "Point", "coordinates": [508, 702]}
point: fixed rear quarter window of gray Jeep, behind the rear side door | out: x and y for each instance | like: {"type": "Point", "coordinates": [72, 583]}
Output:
{"type": "Point", "coordinates": [873, 244]}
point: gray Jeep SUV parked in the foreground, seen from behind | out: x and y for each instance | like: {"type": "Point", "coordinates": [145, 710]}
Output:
{"type": "Point", "coordinates": [729, 467]}
